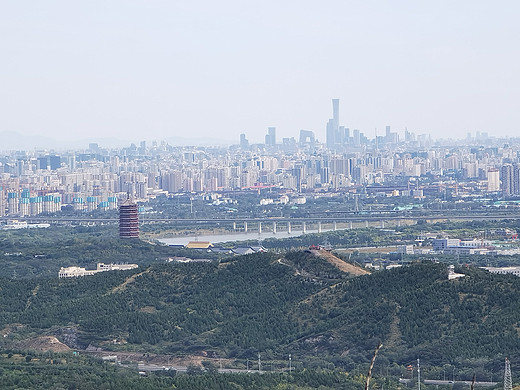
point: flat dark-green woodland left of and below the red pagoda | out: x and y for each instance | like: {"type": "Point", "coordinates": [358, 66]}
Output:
{"type": "Point", "coordinates": [31, 253]}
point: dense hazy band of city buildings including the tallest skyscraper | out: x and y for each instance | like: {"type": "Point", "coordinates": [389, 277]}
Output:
{"type": "Point", "coordinates": [98, 179]}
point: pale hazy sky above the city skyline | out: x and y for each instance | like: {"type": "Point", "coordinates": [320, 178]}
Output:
{"type": "Point", "coordinates": [153, 69]}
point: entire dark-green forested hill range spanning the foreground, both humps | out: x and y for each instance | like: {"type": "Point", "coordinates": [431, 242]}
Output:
{"type": "Point", "coordinates": [277, 304]}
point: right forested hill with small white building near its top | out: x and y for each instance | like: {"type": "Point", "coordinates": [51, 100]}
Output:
{"type": "Point", "coordinates": [416, 311]}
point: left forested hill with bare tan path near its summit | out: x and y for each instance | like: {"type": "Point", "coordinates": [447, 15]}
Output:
{"type": "Point", "coordinates": [231, 306]}
